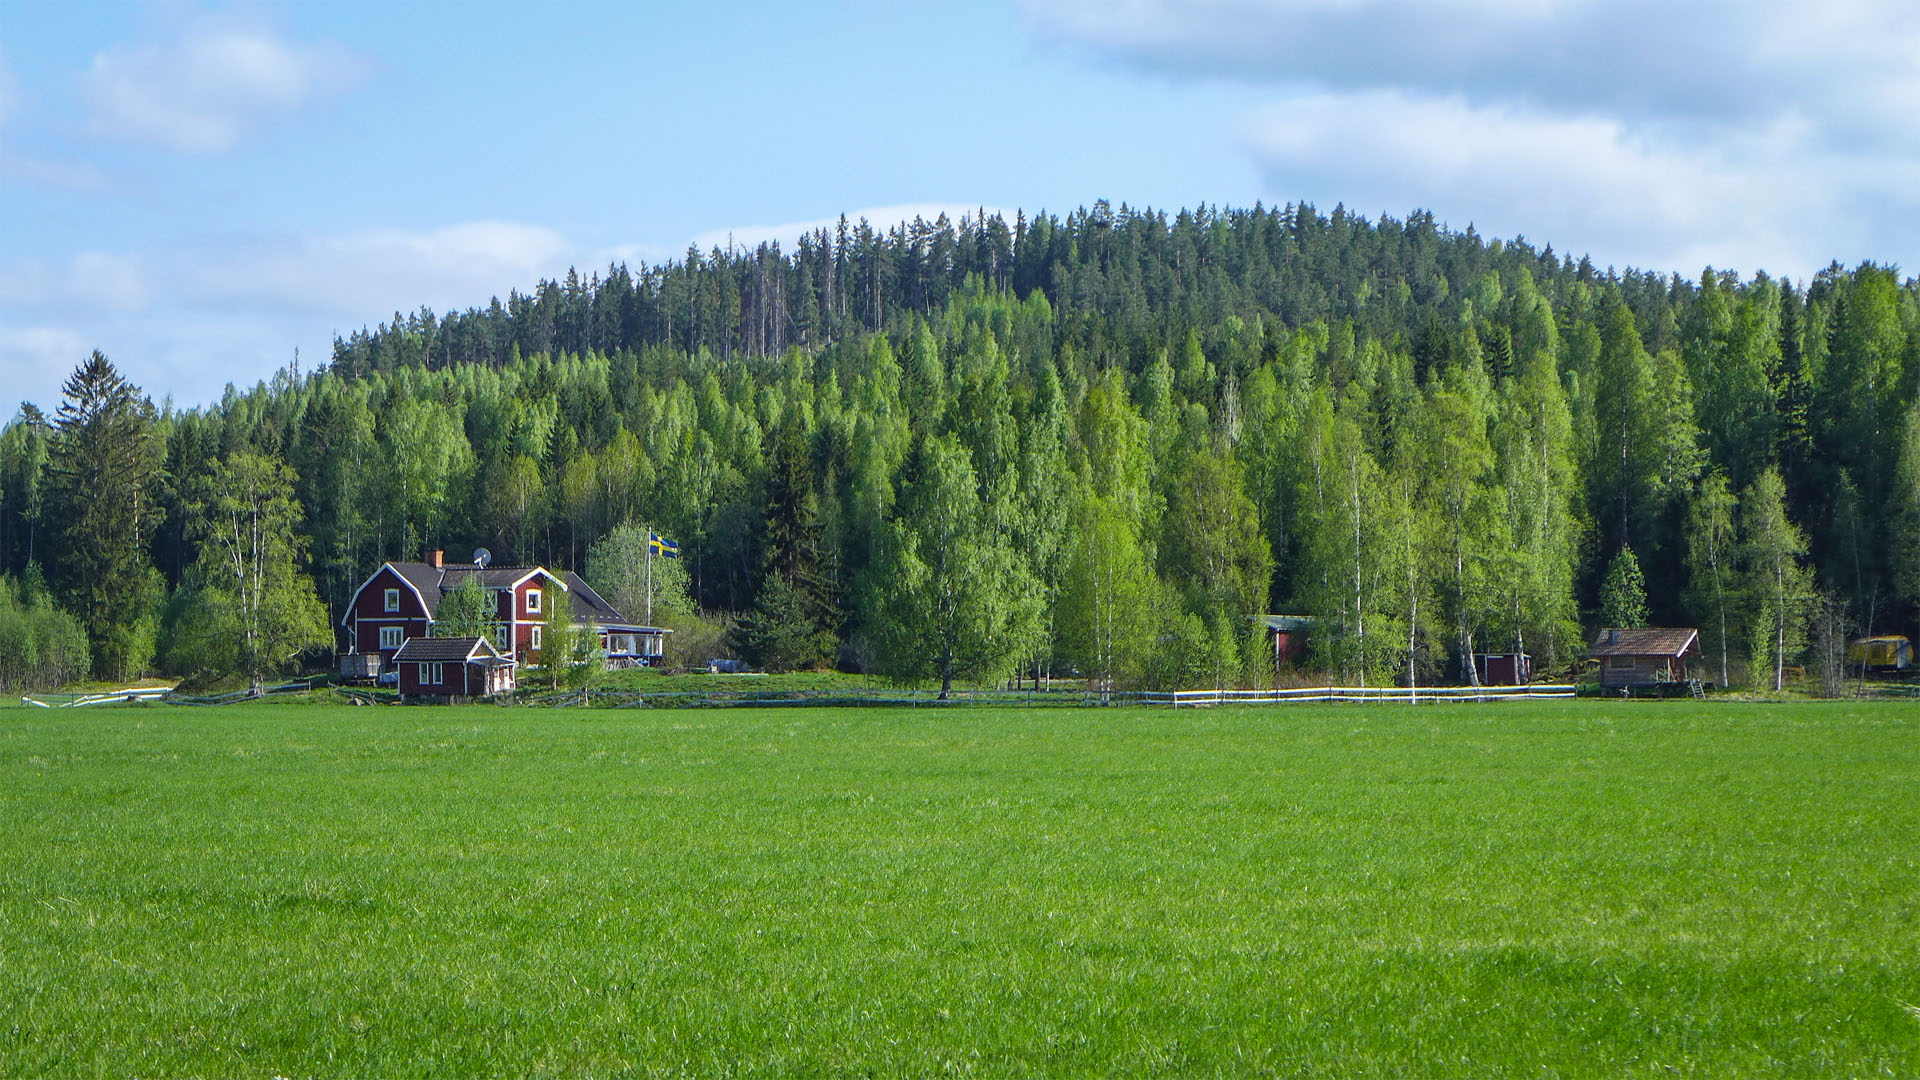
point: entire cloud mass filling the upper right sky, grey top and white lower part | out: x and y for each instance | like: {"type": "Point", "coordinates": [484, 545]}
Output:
{"type": "Point", "coordinates": [1754, 134]}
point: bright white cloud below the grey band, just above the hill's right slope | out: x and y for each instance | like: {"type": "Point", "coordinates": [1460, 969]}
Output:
{"type": "Point", "coordinates": [1510, 170]}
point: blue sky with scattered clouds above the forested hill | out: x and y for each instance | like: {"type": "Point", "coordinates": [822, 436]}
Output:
{"type": "Point", "coordinates": [201, 189]}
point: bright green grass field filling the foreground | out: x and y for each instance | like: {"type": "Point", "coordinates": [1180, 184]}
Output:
{"type": "Point", "coordinates": [1570, 889]}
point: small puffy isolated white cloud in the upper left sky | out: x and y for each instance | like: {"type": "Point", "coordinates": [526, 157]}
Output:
{"type": "Point", "coordinates": [212, 87]}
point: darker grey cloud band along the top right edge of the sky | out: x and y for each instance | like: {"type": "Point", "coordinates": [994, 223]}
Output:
{"type": "Point", "coordinates": [1637, 59]}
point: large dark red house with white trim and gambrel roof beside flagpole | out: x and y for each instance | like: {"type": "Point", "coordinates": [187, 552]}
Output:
{"type": "Point", "coordinates": [402, 601]}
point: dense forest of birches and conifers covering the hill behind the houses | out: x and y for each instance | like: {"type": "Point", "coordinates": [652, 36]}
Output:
{"type": "Point", "coordinates": [1099, 443]}
